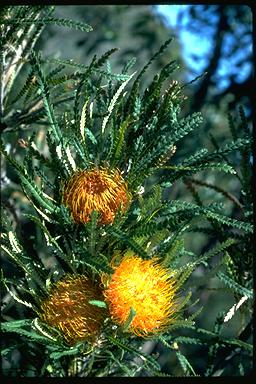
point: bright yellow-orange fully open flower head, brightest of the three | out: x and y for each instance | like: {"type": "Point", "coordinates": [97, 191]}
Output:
{"type": "Point", "coordinates": [145, 286]}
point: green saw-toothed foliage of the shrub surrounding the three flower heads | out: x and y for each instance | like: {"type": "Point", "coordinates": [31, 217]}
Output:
{"type": "Point", "coordinates": [82, 116]}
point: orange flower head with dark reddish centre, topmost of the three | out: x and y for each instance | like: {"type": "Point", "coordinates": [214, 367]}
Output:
{"type": "Point", "coordinates": [102, 190]}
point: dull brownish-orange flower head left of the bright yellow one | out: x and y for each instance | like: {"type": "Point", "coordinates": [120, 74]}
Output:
{"type": "Point", "coordinates": [68, 309]}
